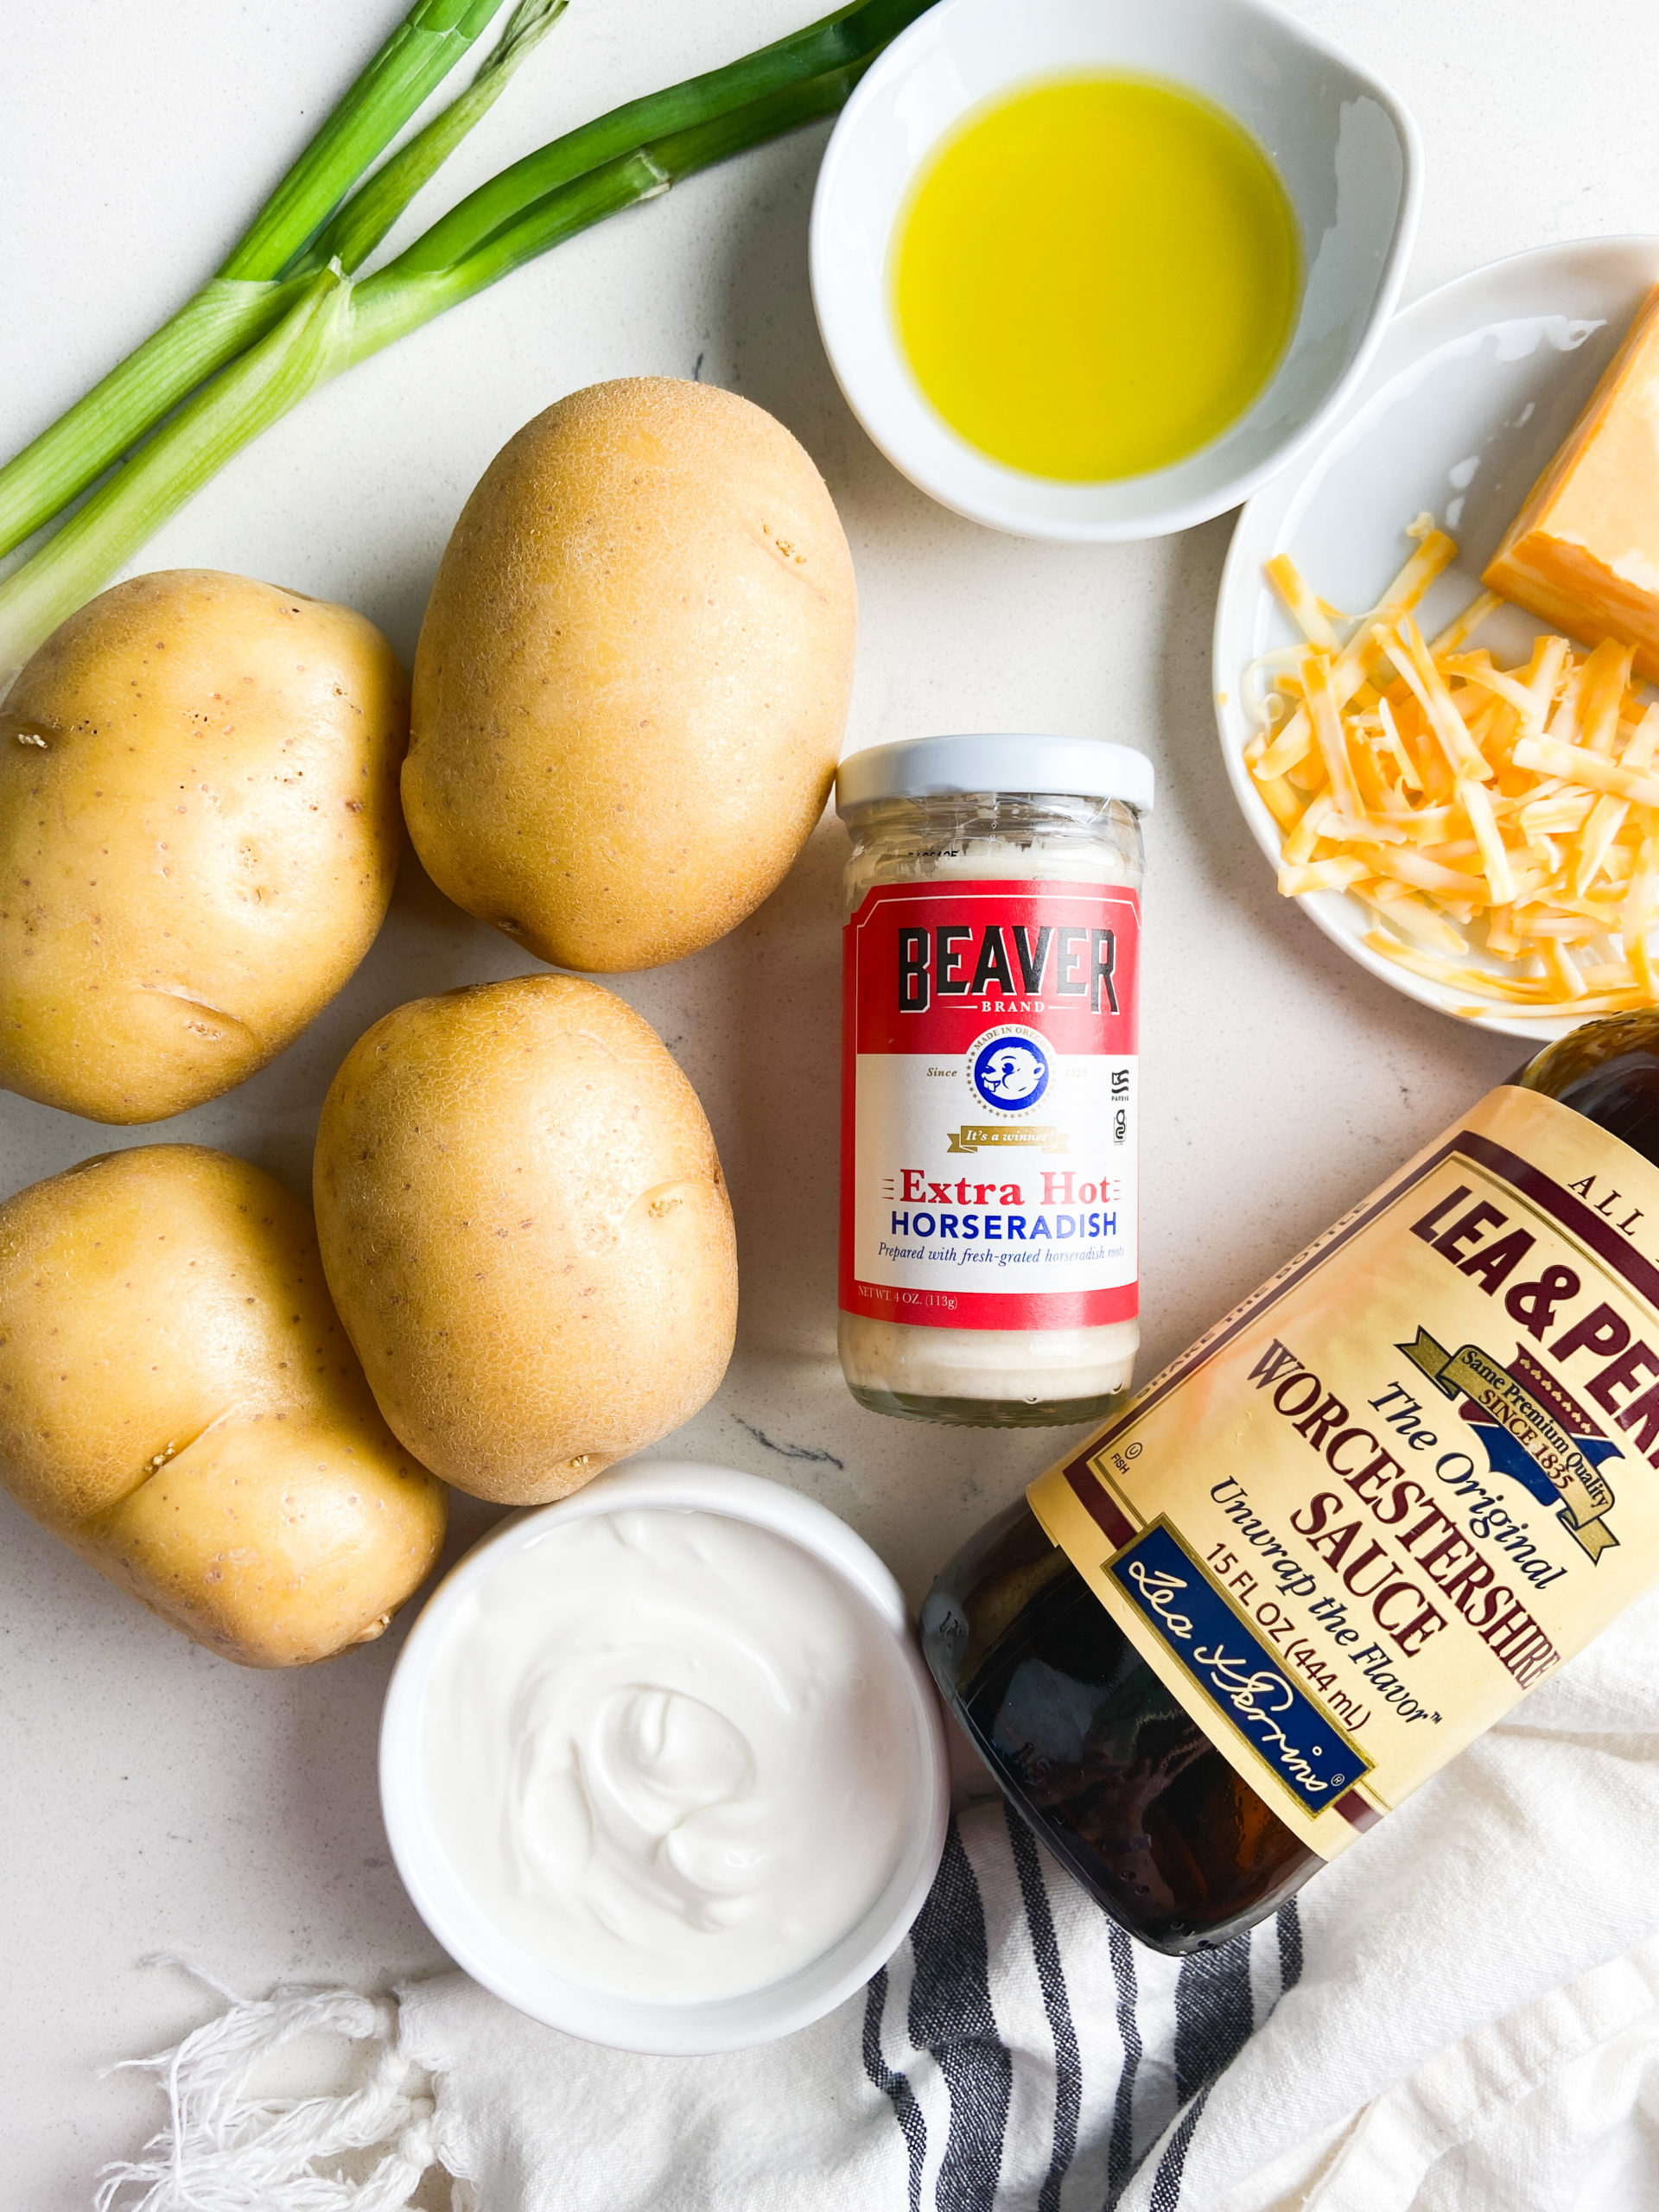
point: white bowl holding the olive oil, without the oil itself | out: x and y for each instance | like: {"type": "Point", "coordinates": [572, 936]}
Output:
{"type": "Point", "coordinates": [1348, 156]}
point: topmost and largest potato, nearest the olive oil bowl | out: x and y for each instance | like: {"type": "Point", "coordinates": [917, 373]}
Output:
{"type": "Point", "coordinates": [634, 676]}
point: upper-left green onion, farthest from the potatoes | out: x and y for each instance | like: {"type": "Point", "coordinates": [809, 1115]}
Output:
{"type": "Point", "coordinates": [255, 289]}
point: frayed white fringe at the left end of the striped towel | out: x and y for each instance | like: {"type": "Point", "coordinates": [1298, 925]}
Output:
{"type": "Point", "coordinates": [225, 2151]}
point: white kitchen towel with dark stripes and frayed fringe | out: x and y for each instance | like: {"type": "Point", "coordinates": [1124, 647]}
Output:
{"type": "Point", "coordinates": [1459, 2016]}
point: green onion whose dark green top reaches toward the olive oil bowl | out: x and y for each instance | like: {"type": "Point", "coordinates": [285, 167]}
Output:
{"type": "Point", "coordinates": [333, 320]}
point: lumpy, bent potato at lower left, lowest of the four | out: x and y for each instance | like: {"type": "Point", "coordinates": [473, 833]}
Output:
{"type": "Point", "coordinates": [180, 1406]}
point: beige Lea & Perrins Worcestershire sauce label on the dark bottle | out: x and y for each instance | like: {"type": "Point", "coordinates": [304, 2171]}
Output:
{"type": "Point", "coordinates": [1406, 1479]}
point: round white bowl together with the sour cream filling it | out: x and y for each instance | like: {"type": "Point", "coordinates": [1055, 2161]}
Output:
{"type": "Point", "coordinates": [662, 1766]}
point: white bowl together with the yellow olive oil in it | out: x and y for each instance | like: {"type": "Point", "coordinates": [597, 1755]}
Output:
{"type": "Point", "coordinates": [1098, 269]}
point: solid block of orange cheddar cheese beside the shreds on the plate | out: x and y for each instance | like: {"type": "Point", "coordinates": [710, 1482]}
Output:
{"type": "Point", "coordinates": [1585, 550]}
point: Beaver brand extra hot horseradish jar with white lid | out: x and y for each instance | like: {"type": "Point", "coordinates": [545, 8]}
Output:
{"type": "Point", "coordinates": [990, 1078]}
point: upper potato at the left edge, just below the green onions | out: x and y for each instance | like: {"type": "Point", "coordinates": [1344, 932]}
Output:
{"type": "Point", "coordinates": [198, 837]}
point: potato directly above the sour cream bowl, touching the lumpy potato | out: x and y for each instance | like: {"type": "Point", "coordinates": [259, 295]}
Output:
{"type": "Point", "coordinates": [528, 1233]}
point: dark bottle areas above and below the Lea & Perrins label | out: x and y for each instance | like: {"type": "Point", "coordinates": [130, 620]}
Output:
{"type": "Point", "coordinates": [1083, 1735]}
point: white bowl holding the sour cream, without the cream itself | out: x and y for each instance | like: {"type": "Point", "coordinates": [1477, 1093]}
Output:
{"type": "Point", "coordinates": [629, 2025]}
